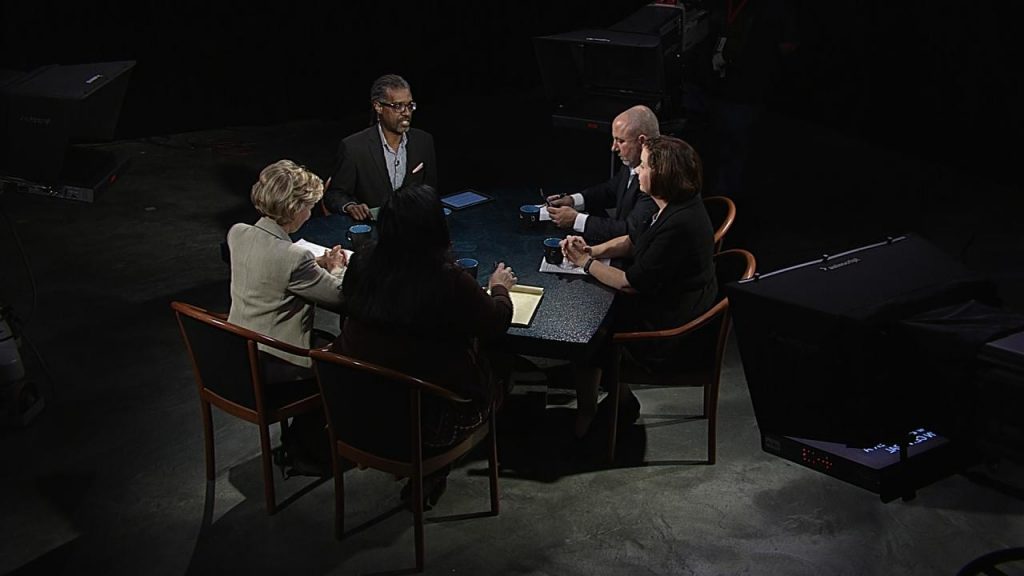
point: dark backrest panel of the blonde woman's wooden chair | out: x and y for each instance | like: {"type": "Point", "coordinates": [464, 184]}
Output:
{"type": "Point", "coordinates": [223, 359]}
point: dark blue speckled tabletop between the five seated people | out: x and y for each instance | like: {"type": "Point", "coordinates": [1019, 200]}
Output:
{"type": "Point", "coordinates": [573, 308]}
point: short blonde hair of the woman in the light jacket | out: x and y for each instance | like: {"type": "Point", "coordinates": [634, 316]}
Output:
{"type": "Point", "coordinates": [283, 189]}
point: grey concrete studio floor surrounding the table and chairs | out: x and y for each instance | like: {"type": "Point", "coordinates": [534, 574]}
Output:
{"type": "Point", "coordinates": [110, 478]}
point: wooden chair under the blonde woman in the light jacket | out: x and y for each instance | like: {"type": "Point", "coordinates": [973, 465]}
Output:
{"type": "Point", "coordinates": [230, 376]}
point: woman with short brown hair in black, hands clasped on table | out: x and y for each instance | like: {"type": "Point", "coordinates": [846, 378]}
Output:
{"type": "Point", "coordinates": [671, 276]}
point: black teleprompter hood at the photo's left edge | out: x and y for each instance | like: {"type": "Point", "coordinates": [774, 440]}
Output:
{"type": "Point", "coordinates": [50, 114]}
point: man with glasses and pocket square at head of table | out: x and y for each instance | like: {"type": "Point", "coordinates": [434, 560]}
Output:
{"type": "Point", "coordinates": [375, 162]}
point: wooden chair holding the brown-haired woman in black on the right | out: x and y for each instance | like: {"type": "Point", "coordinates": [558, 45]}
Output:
{"type": "Point", "coordinates": [709, 333]}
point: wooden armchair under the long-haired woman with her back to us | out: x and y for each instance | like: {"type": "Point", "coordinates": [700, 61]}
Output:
{"type": "Point", "coordinates": [391, 439]}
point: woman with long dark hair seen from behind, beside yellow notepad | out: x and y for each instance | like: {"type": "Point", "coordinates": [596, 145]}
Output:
{"type": "Point", "coordinates": [413, 310]}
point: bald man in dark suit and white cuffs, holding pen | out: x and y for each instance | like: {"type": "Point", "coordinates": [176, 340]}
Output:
{"type": "Point", "coordinates": [617, 208]}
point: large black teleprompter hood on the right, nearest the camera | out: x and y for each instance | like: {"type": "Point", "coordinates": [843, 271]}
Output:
{"type": "Point", "coordinates": [821, 345]}
